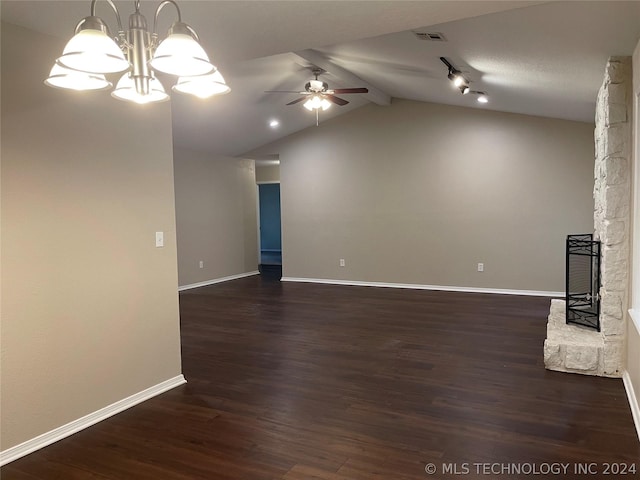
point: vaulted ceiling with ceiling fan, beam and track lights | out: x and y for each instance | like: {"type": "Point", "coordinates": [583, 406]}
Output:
{"type": "Point", "coordinates": [537, 58]}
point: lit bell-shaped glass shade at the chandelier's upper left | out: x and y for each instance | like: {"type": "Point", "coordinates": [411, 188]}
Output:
{"type": "Point", "coordinates": [93, 51]}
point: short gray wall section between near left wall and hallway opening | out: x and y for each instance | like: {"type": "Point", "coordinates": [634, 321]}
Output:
{"type": "Point", "coordinates": [216, 216]}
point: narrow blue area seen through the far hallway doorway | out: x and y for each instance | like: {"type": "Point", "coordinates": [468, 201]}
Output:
{"type": "Point", "coordinates": [270, 233]}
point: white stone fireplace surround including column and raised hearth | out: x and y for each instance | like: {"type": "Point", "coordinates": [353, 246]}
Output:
{"type": "Point", "coordinates": [575, 349]}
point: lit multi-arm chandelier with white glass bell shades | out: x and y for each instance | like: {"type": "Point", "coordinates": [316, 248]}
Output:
{"type": "Point", "coordinates": [92, 53]}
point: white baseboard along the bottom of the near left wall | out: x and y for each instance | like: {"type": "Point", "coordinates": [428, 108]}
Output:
{"type": "Point", "coordinates": [41, 441]}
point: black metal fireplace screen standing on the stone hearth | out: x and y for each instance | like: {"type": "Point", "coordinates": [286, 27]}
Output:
{"type": "Point", "coordinates": [583, 281]}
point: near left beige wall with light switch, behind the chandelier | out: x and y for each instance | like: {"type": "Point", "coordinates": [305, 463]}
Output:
{"type": "Point", "coordinates": [89, 304]}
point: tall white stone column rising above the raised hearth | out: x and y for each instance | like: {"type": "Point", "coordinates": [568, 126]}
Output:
{"type": "Point", "coordinates": [612, 195]}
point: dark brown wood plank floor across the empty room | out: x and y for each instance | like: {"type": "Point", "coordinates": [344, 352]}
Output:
{"type": "Point", "coordinates": [299, 381]}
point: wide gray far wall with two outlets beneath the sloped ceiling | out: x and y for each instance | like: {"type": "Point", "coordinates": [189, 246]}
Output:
{"type": "Point", "coordinates": [421, 193]}
